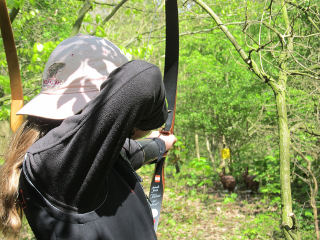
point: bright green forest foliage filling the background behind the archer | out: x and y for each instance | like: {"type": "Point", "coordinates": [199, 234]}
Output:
{"type": "Point", "coordinates": [222, 102]}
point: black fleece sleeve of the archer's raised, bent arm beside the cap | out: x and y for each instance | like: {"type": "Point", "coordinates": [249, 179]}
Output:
{"type": "Point", "coordinates": [81, 152]}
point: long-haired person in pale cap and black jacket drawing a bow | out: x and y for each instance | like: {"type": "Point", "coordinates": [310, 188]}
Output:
{"type": "Point", "coordinates": [71, 166]}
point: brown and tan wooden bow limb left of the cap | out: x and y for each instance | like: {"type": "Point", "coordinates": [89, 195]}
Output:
{"type": "Point", "coordinates": [13, 67]}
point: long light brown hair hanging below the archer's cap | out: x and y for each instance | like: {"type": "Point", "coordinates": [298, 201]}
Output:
{"type": "Point", "coordinates": [10, 211]}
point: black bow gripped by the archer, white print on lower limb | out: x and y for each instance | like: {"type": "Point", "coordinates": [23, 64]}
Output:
{"type": "Point", "coordinates": [170, 83]}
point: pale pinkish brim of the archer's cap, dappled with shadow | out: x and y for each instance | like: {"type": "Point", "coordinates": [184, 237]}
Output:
{"type": "Point", "coordinates": [55, 106]}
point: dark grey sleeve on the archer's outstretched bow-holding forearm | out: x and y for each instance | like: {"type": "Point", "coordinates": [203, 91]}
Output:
{"type": "Point", "coordinates": [140, 152]}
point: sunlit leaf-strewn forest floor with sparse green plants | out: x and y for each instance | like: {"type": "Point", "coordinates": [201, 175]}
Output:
{"type": "Point", "coordinates": [203, 213]}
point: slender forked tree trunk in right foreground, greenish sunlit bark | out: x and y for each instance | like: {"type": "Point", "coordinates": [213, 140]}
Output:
{"type": "Point", "coordinates": [278, 87]}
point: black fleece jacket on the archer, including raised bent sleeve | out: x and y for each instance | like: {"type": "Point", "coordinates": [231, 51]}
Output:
{"type": "Point", "coordinates": [76, 183]}
